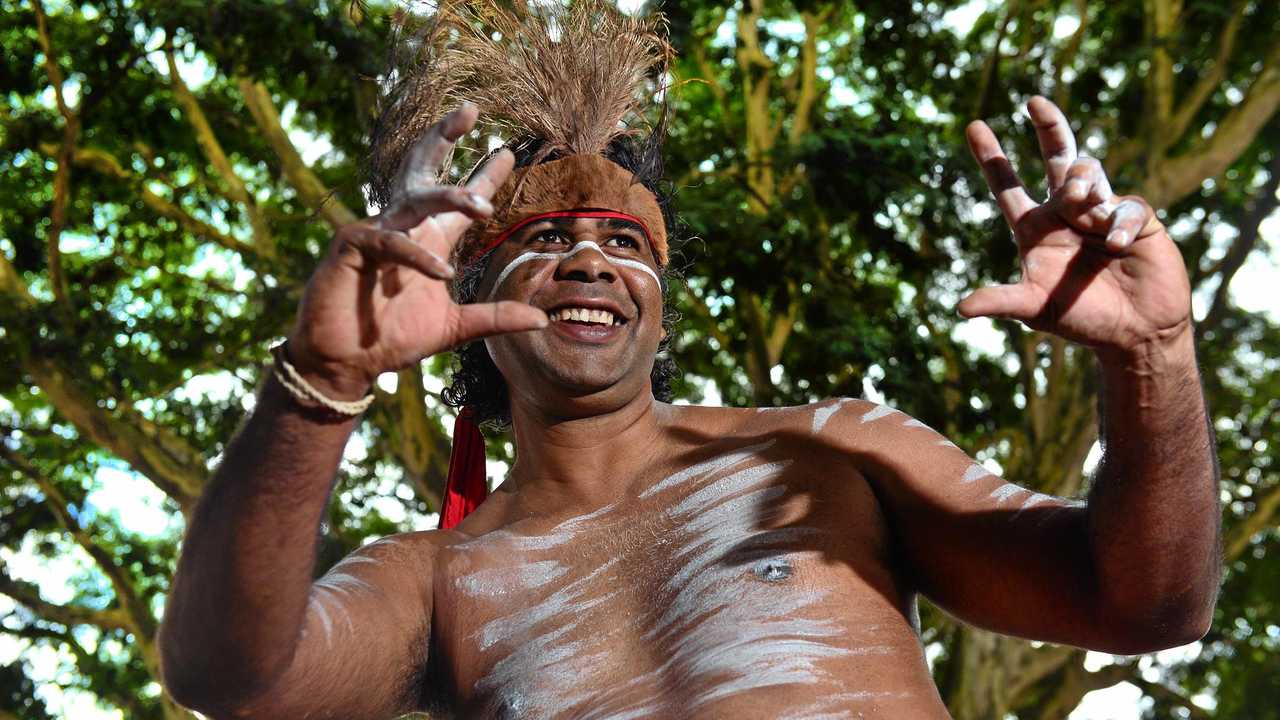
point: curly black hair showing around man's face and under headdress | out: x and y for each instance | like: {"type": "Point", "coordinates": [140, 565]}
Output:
{"type": "Point", "coordinates": [477, 381]}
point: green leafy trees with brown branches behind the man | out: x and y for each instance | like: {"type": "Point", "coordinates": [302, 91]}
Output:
{"type": "Point", "coordinates": [171, 171]}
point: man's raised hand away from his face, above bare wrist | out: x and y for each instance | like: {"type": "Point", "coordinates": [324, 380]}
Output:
{"type": "Point", "coordinates": [1096, 268]}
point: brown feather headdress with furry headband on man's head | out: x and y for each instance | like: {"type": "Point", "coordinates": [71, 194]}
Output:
{"type": "Point", "coordinates": [570, 80]}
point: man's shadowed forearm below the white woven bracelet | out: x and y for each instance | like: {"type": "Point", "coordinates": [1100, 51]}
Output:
{"type": "Point", "coordinates": [240, 596]}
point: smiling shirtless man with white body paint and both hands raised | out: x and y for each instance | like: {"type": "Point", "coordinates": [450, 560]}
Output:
{"type": "Point", "coordinates": [650, 560]}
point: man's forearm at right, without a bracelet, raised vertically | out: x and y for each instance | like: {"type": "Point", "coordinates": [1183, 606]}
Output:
{"type": "Point", "coordinates": [1155, 521]}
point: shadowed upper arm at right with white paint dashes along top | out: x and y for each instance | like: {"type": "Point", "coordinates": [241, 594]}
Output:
{"type": "Point", "coordinates": [991, 553]}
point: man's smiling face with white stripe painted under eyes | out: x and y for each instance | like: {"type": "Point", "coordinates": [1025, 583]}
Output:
{"type": "Point", "coordinates": [604, 299]}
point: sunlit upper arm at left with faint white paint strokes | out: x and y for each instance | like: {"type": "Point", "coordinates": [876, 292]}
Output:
{"type": "Point", "coordinates": [365, 637]}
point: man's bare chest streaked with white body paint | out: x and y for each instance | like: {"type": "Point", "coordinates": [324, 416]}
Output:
{"type": "Point", "coordinates": [717, 584]}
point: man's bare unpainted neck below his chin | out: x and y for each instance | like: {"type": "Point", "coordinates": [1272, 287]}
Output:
{"type": "Point", "coordinates": [584, 462]}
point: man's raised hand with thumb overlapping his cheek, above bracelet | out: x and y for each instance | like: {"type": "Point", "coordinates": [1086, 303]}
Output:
{"type": "Point", "coordinates": [381, 302]}
